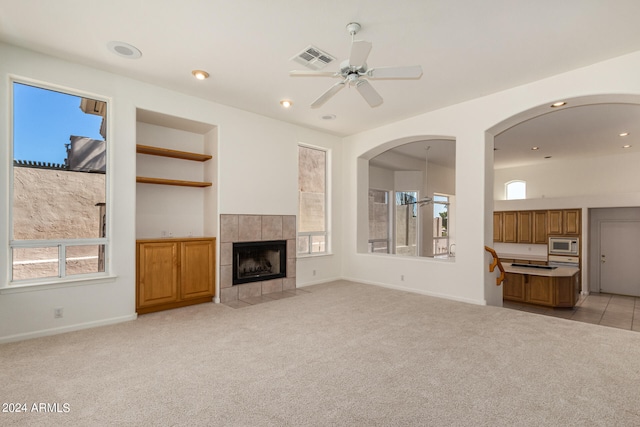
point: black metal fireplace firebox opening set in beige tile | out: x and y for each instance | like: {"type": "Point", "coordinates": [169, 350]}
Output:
{"type": "Point", "coordinates": [258, 261]}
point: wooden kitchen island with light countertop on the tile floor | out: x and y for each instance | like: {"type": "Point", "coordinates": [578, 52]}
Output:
{"type": "Point", "coordinates": [541, 284]}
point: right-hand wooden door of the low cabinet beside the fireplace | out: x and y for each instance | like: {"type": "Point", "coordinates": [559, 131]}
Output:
{"type": "Point", "coordinates": [197, 269]}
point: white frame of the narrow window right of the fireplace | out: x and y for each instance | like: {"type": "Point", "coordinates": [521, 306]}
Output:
{"type": "Point", "coordinates": [327, 208]}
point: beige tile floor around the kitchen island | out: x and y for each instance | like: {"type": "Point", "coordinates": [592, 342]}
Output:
{"type": "Point", "coordinates": [616, 311]}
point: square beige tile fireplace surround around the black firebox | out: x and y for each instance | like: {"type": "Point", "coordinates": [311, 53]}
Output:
{"type": "Point", "coordinates": [262, 231]}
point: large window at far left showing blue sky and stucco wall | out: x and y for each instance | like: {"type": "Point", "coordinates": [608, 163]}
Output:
{"type": "Point", "coordinates": [58, 198]}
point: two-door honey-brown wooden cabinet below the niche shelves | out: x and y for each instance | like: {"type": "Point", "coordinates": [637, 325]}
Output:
{"type": "Point", "coordinates": [173, 273]}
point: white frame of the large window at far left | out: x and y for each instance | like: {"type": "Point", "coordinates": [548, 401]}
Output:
{"type": "Point", "coordinates": [62, 278]}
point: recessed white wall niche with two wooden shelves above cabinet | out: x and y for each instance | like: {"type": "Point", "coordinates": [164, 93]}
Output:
{"type": "Point", "coordinates": [176, 166]}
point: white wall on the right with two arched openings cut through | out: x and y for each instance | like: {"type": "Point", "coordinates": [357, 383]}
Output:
{"type": "Point", "coordinates": [472, 124]}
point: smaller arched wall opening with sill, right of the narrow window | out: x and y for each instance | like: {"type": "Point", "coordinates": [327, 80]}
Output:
{"type": "Point", "coordinates": [409, 185]}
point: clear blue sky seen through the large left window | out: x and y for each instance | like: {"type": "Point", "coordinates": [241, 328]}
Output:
{"type": "Point", "coordinates": [43, 120]}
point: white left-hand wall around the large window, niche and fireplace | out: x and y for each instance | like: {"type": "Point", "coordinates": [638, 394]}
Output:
{"type": "Point", "coordinates": [257, 174]}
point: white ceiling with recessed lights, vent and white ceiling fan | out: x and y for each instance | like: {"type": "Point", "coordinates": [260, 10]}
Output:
{"type": "Point", "coordinates": [466, 48]}
